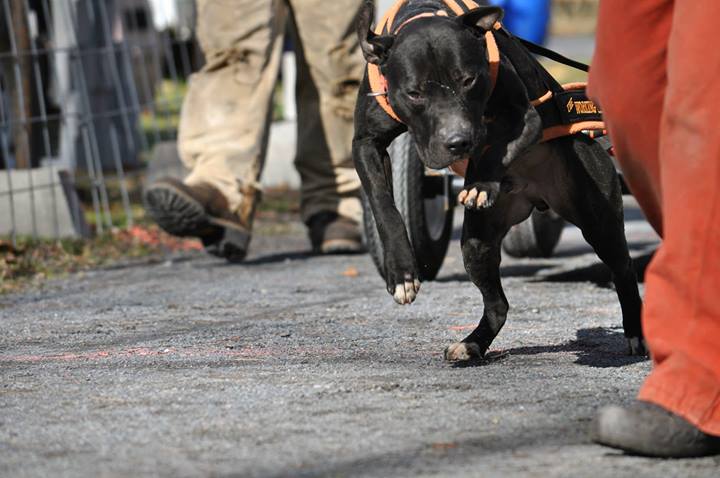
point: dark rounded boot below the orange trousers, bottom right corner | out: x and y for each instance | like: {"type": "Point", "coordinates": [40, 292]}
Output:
{"type": "Point", "coordinates": [649, 430]}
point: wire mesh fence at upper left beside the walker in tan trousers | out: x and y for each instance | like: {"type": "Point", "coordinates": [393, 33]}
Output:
{"type": "Point", "coordinates": [87, 89]}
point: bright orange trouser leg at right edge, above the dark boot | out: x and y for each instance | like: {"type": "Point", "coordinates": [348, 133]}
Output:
{"type": "Point", "coordinates": [682, 306]}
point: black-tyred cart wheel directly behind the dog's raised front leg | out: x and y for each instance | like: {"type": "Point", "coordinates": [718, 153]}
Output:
{"type": "Point", "coordinates": [424, 203]}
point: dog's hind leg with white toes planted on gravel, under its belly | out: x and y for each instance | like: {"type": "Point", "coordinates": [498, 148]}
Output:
{"type": "Point", "coordinates": [483, 232]}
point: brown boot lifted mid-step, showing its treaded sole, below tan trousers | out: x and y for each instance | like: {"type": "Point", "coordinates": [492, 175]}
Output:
{"type": "Point", "coordinates": [201, 211]}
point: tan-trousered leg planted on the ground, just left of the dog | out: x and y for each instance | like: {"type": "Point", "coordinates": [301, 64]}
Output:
{"type": "Point", "coordinates": [330, 67]}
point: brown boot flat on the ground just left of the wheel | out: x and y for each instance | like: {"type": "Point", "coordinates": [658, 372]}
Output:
{"type": "Point", "coordinates": [331, 233]}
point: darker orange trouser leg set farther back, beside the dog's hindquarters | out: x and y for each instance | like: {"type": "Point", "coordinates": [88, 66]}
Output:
{"type": "Point", "coordinates": [628, 79]}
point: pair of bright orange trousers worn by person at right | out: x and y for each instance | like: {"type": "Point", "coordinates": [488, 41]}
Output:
{"type": "Point", "coordinates": [656, 74]}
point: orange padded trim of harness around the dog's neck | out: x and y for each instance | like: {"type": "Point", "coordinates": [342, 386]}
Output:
{"type": "Point", "coordinates": [378, 82]}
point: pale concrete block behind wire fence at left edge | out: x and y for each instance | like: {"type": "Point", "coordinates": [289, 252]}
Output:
{"type": "Point", "coordinates": [40, 202]}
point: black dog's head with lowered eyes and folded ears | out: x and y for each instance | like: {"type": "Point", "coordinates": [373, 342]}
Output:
{"type": "Point", "coordinates": [438, 78]}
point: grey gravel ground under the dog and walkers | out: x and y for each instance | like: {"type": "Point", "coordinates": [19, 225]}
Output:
{"type": "Point", "coordinates": [294, 365]}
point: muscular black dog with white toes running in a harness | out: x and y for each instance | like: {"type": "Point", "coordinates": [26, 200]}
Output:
{"type": "Point", "coordinates": [440, 88]}
